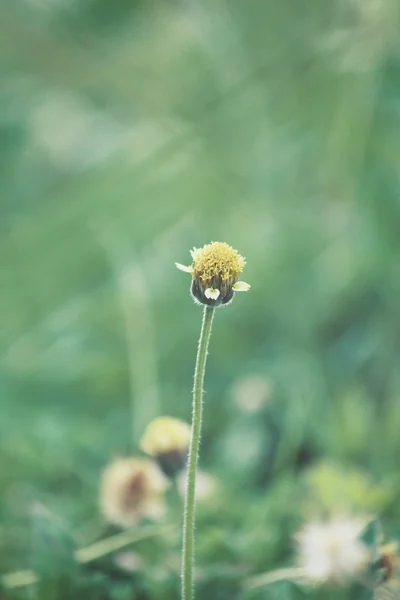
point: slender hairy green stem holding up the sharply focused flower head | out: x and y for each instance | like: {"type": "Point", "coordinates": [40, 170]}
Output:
{"type": "Point", "coordinates": [190, 493]}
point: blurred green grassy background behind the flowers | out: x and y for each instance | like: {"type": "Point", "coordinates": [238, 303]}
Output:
{"type": "Point", "coordinates": [131, 131]}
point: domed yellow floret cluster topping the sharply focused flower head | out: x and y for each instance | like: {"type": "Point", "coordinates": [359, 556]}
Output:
{"type": "Point", "coordinates": [217, 259]}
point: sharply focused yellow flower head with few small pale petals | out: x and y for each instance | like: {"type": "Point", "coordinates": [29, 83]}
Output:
{"type": "Point", "coordinates": [215, 274]}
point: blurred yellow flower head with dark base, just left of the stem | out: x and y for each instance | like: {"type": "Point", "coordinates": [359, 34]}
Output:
{"type": "Point", "coordinates": [167, 440]}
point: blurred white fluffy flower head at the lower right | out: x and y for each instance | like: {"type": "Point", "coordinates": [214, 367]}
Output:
{"type": "Point", "coordinates": [332, 551]}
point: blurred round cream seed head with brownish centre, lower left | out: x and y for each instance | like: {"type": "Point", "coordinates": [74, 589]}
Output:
{"type": "Point", "coordinates": [132, 489]}
